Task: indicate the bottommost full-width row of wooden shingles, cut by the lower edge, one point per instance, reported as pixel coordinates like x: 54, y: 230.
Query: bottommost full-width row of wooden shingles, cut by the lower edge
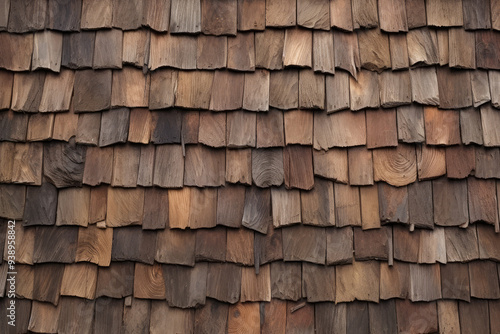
x: 391, y: 316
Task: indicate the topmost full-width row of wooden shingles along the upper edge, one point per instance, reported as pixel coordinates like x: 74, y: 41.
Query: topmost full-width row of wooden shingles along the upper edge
x: 240, y: 15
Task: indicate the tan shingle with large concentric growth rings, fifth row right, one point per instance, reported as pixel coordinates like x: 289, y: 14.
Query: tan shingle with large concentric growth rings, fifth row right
x: 396, y: 166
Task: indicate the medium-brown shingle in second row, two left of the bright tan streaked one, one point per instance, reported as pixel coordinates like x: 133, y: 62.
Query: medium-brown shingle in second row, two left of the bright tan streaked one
x: 241, y: 52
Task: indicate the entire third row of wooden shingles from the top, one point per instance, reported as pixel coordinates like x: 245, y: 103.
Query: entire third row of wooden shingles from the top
x: 257, y: 91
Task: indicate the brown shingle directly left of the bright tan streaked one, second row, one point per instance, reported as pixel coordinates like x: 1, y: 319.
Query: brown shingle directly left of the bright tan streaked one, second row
x: 269, y: 49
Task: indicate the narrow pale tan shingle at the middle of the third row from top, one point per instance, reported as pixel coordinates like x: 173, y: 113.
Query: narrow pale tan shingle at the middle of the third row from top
x: 256, y: 91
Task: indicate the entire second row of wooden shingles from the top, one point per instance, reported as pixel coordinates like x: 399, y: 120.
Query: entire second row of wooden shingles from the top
x: 272, y: 49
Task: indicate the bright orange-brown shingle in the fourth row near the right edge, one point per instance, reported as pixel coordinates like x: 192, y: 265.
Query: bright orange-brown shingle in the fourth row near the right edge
x: 441, y: 126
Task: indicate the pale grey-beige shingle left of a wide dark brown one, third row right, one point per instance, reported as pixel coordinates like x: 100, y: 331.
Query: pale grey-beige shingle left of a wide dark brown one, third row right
x: 424, y: 86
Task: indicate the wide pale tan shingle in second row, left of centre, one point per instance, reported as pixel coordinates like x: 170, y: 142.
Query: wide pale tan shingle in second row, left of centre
x: 178, y: 51
